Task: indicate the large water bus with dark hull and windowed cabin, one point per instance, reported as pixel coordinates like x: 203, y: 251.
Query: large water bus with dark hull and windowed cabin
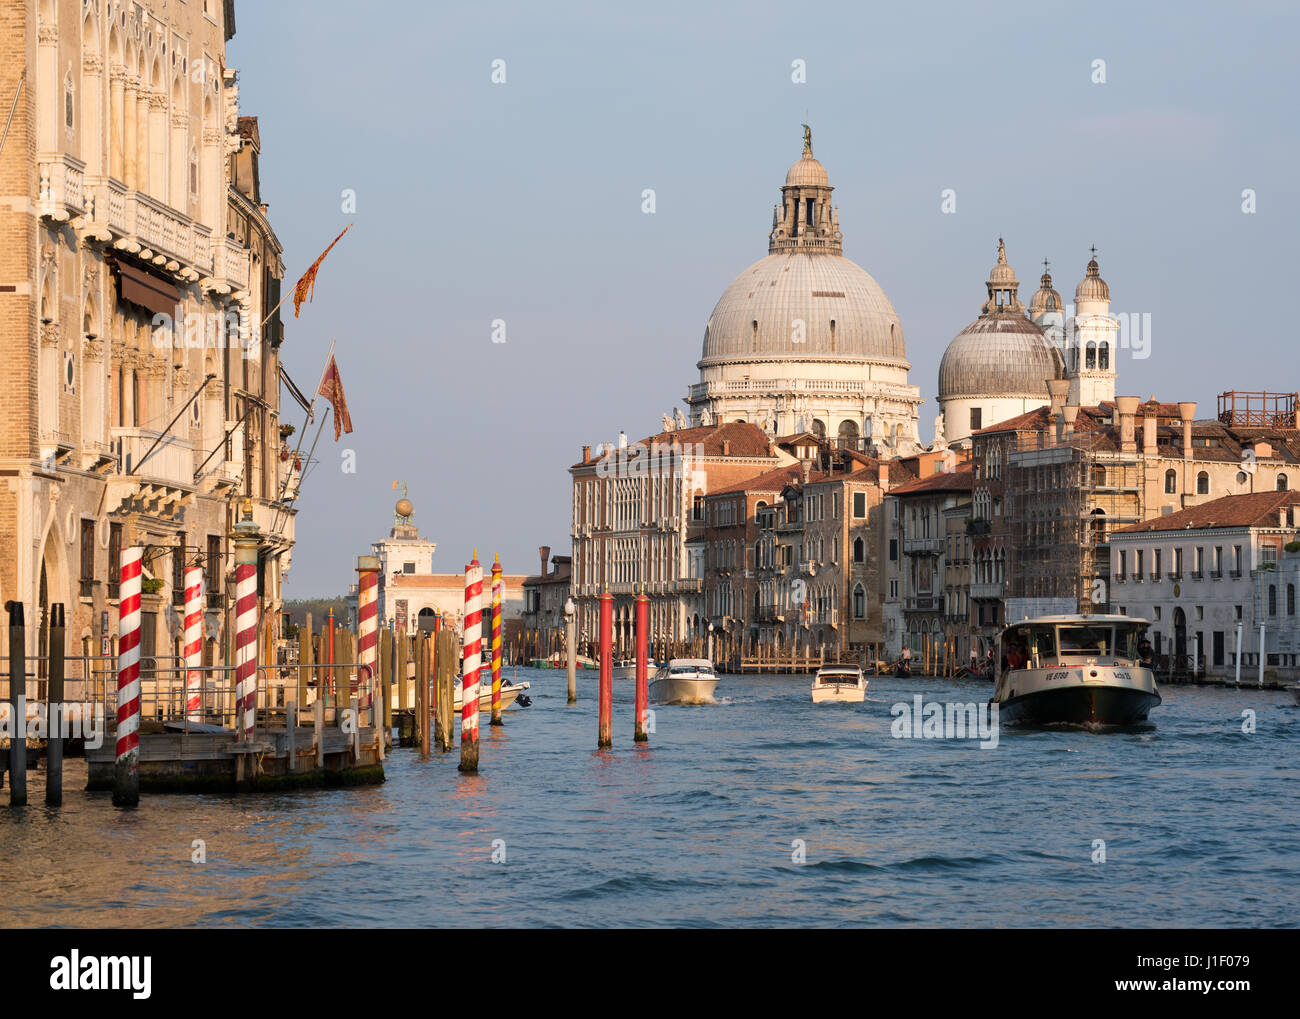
x: 1082, y: 670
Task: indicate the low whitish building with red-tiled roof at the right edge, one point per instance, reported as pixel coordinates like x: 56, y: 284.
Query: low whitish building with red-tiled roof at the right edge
x: 1202, y: 574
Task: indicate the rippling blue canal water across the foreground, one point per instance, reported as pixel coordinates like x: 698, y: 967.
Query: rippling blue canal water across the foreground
x: 1201, y: 825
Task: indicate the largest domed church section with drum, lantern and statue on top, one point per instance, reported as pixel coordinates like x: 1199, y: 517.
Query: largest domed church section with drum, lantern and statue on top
x: 805, y: 340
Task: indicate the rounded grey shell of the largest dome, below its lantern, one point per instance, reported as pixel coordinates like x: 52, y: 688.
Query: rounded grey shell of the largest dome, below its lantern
x: 753, y: 319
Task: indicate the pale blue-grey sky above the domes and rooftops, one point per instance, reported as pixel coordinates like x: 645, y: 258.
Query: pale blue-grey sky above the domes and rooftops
x: 521, y: 202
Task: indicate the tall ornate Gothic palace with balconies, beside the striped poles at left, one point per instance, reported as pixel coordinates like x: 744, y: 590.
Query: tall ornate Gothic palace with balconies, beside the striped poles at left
x: 138, y: 276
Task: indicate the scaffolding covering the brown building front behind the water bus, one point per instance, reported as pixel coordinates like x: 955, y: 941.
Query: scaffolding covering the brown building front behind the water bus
x: 1067, y: 495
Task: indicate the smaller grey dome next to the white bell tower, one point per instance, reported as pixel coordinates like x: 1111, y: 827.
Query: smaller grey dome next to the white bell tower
x: 999, y: 355
